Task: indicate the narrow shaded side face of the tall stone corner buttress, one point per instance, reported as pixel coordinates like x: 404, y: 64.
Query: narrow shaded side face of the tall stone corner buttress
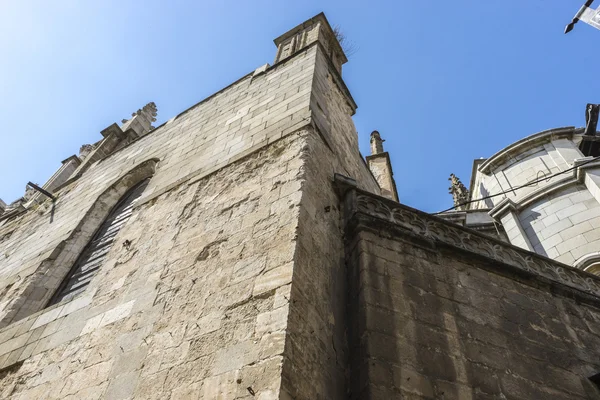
x: 316, y: 347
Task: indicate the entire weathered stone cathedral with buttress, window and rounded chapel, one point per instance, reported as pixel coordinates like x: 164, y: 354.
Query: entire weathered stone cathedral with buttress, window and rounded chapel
x: 245, y: 249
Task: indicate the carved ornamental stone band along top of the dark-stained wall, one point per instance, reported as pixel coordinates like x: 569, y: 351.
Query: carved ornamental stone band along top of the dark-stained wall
x: 438, y: 230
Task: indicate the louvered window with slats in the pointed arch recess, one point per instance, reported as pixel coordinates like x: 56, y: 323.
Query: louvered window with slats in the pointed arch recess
x: 92, y: 257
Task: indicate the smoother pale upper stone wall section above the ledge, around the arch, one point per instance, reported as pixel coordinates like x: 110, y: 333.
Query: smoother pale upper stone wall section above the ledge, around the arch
x: 253, y: 112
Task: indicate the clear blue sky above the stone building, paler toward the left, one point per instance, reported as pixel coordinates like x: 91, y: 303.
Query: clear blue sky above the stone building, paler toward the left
x: 444, y: 82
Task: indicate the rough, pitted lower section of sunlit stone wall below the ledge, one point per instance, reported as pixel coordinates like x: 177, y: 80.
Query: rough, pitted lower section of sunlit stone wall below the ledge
x: 196, y: 306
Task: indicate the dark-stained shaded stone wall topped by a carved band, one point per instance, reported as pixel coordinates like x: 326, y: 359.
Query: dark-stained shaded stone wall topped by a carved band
x: 435, y: 313
